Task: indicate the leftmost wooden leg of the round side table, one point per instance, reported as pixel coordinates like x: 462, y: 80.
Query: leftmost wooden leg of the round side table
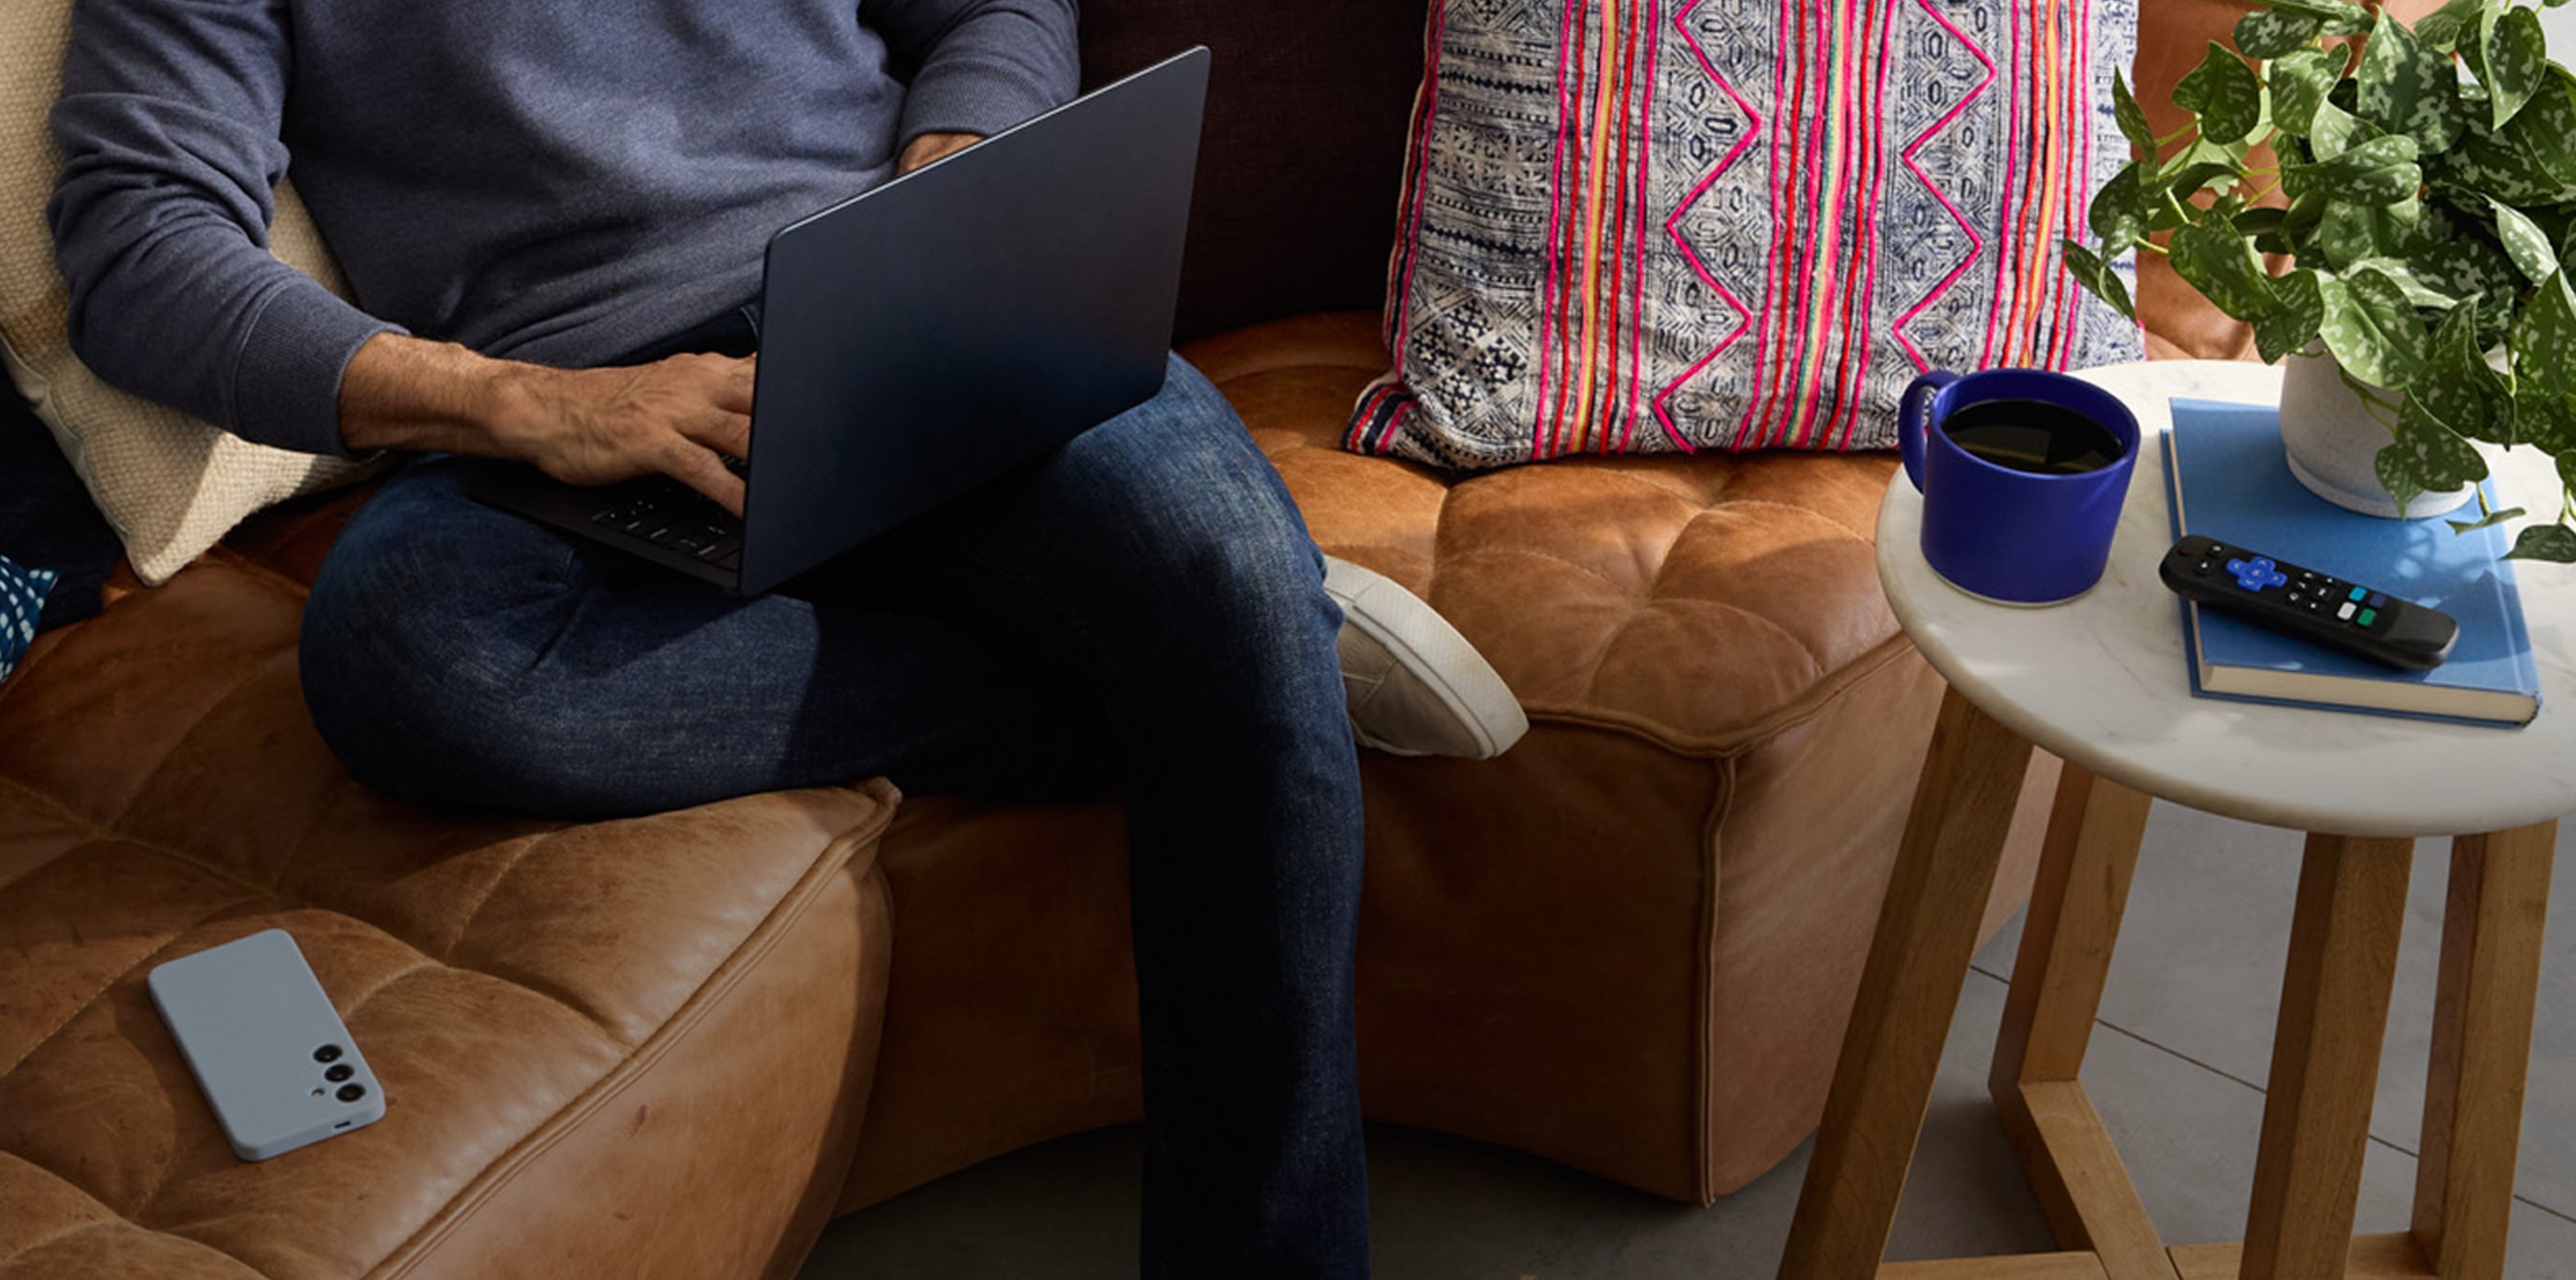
x: 1908, y: 995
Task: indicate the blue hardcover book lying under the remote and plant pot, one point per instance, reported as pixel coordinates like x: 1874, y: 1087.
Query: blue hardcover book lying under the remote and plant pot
x: 2232, y: 483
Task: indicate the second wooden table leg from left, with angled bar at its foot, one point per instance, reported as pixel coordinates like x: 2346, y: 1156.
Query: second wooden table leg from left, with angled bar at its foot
x: 2057, y: 990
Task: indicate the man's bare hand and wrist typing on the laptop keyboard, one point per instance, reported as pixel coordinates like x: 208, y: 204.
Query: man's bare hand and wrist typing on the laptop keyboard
x: 583, y: 426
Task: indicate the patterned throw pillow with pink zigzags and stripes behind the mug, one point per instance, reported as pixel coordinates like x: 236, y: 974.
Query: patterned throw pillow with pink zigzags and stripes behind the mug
x: 1673, y: 225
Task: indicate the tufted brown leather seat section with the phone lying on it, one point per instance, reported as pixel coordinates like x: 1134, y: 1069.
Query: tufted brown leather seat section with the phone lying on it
x: 614, y: 1049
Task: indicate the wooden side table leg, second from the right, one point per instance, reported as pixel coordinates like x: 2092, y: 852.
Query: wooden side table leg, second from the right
x: 2327, y: 1057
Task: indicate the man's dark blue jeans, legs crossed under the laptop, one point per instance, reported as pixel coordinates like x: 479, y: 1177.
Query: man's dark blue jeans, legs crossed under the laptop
x: 1137, y: 614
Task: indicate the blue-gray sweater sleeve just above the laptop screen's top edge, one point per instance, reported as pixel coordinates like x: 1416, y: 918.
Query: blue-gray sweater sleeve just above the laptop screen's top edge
x: 980, y: 66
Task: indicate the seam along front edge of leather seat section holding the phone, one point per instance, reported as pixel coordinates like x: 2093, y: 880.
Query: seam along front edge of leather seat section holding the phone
x: 506, y: 1168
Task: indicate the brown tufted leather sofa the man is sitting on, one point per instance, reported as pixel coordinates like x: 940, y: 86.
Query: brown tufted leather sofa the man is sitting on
x: 676, y: 1047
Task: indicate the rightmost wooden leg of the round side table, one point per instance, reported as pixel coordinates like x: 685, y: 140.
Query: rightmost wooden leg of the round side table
x: 2482, y: 1042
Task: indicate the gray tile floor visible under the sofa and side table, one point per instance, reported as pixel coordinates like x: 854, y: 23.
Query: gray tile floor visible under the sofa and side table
x: 2175, y: 1070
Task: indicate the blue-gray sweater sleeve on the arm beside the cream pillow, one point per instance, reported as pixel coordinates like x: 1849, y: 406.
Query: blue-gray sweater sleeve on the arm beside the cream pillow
x: 169, y: 125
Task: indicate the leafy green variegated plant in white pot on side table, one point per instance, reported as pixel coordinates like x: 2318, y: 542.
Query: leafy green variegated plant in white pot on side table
x: 2430, y: 220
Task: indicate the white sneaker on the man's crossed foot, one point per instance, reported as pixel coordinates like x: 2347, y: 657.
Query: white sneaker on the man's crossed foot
x: 1416, y: 686
